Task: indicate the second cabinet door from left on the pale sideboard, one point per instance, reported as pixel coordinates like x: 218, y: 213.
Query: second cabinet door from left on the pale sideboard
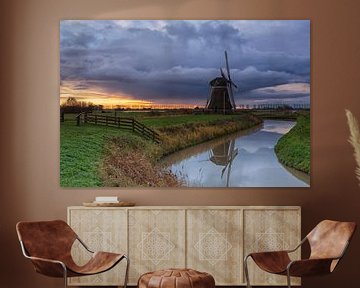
x: 157, y: 240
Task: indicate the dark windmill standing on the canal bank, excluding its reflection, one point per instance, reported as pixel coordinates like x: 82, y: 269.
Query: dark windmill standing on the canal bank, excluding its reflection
x: 221, y: 94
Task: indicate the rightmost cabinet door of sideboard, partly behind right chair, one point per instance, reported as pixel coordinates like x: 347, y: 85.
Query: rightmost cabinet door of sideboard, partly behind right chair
x: 270, y: 230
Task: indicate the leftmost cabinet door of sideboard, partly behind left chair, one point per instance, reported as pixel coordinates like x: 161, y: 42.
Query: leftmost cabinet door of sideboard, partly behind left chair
x: 100, y: 230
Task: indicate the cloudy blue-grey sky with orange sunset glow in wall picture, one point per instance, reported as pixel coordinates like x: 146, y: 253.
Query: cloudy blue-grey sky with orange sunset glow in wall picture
x: 129, y: 62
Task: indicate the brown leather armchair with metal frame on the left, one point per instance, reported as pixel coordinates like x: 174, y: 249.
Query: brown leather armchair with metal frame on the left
x: 48, y: 245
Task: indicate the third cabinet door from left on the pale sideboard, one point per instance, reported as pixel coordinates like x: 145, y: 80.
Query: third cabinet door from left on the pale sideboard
x: 214, y: 244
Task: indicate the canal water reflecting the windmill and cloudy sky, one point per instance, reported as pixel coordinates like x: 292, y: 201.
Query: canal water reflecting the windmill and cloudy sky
x: 244, y: 159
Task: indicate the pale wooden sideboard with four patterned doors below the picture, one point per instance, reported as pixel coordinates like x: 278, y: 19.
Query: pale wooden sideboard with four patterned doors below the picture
x: 212, y: 239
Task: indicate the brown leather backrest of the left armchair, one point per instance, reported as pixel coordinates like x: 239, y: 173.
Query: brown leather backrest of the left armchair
x: 46, y: 239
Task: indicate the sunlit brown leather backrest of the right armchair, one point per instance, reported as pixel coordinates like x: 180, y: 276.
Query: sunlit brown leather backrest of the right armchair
x: 329, y: 239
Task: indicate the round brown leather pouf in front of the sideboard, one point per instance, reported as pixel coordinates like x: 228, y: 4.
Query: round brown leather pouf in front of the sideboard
x: 176, y: 278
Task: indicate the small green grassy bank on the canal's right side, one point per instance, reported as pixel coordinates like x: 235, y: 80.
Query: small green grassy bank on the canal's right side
x: 293, y: 149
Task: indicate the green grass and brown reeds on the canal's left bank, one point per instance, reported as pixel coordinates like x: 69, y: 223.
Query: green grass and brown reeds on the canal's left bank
x: 94, y: 156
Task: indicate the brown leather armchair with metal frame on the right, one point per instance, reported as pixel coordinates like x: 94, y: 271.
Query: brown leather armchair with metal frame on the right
x: 328, y: 242
